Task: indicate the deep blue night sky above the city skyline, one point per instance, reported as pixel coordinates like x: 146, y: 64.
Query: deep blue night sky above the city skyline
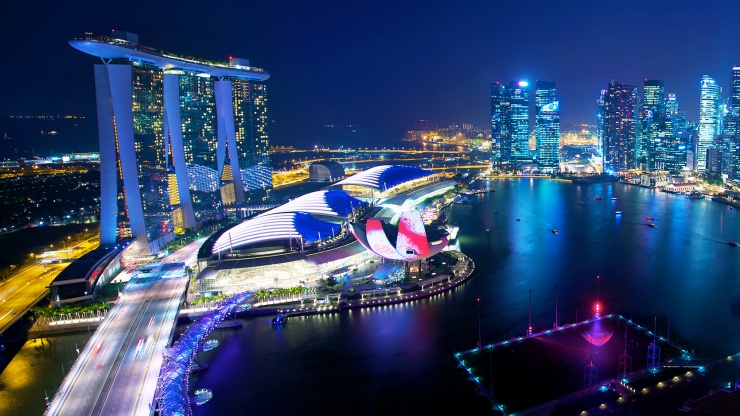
x: 382, y: 65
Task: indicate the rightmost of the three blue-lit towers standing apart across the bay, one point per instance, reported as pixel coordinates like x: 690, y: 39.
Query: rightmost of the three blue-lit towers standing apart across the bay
x: 547, y: 127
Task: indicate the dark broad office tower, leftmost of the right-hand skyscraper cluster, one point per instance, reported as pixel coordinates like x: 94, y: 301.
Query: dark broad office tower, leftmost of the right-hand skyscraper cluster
x: 619, y: 127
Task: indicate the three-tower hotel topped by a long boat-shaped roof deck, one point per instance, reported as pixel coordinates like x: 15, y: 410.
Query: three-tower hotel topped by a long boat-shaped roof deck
x: 180, y: 138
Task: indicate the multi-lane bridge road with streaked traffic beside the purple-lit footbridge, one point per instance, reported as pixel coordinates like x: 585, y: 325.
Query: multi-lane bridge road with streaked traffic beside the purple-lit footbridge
x: 116, y: 373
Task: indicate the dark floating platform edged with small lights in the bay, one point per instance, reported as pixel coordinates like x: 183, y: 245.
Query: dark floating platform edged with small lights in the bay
x: 546, y: 371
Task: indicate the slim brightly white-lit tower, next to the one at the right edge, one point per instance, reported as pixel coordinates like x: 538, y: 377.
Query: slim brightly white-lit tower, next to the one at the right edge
x: 709, y: 123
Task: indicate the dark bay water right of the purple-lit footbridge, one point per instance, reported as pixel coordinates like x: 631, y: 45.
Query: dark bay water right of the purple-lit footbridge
x: 398, y: 359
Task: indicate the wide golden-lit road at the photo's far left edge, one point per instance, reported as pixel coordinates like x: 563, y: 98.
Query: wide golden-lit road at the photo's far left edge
x: 29, y: 285
